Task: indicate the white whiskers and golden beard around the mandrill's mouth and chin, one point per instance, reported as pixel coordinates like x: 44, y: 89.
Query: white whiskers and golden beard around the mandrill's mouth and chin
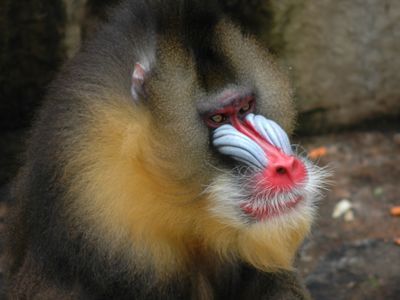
x: 269, y: 244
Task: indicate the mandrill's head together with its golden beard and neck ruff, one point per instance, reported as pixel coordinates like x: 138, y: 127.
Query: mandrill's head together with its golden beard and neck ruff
x: 199, y: 155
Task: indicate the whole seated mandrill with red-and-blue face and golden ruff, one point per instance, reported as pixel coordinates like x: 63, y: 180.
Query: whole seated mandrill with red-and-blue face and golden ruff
x: 159, y: 168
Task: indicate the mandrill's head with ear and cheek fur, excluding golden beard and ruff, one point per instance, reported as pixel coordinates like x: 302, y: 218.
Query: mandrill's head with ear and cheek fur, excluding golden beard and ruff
x: 223, y: 120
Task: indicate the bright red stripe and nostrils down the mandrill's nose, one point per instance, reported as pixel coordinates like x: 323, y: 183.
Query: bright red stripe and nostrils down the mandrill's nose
x: 283, y: 171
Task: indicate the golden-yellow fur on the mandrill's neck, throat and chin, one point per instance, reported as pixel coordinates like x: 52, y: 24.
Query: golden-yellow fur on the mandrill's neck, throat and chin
x: 124, y: 195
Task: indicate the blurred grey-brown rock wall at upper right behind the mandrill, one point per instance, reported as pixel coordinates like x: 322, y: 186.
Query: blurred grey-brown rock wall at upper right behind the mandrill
x: 343, y: 55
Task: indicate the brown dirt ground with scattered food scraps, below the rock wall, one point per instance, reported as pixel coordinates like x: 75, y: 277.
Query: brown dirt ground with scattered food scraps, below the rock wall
x: 348, y: 257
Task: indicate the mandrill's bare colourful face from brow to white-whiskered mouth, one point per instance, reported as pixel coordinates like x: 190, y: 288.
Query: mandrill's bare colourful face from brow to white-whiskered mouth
x: 268, y: 180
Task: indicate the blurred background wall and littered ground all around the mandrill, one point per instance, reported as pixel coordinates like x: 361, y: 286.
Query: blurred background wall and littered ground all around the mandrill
x: 343, y: 59
